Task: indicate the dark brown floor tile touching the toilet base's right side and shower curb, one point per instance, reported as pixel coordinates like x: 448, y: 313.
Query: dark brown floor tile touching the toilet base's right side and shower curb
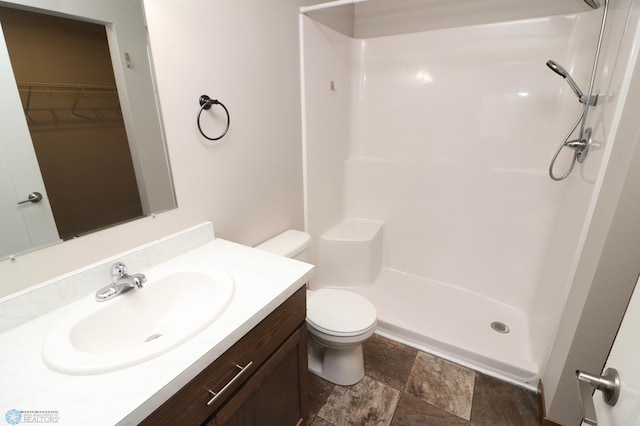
x: 387, y: 361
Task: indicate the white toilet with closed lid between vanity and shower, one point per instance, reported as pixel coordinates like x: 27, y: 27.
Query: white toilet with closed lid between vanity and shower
x: 338, y: 321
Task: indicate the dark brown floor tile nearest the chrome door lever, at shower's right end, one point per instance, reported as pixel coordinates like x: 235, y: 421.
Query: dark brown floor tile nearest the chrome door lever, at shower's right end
x: 498, y: 403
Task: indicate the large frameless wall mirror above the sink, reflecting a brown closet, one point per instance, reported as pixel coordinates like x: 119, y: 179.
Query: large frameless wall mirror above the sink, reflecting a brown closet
x: 82, y: 144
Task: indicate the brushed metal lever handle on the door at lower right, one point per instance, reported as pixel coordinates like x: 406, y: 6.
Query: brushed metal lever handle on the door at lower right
x: 608, y: 384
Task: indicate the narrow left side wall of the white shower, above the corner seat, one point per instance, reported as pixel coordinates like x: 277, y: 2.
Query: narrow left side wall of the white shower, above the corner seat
x: 327, y: 58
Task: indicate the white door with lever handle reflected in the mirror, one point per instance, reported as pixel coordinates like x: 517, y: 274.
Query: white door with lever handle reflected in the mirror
x: 27, y: 225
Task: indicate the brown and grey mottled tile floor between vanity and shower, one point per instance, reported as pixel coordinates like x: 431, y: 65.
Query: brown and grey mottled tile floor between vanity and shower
x: 404, y: 386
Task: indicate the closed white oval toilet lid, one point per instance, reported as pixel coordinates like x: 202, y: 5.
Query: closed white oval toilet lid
x: 340, y: 312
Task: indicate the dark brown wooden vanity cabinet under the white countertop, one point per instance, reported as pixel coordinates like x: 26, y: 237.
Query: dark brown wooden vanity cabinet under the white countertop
x: 260, y: 380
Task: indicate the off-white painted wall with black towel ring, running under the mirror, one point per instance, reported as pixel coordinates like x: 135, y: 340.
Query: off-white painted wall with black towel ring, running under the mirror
x: 250, y: 185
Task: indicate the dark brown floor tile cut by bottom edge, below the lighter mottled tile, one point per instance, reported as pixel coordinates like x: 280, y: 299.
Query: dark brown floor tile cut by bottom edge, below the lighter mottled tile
x: 413, y: 411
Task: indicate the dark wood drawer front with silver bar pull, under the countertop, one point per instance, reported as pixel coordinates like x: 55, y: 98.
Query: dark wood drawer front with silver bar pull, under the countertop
x: 189, y: 405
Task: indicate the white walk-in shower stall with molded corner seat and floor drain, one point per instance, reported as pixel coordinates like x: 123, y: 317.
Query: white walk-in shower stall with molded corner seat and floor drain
x: 428, y: 131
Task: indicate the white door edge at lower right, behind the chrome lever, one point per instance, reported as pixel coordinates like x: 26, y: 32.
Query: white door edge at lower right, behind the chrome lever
x: 625, y: 358
